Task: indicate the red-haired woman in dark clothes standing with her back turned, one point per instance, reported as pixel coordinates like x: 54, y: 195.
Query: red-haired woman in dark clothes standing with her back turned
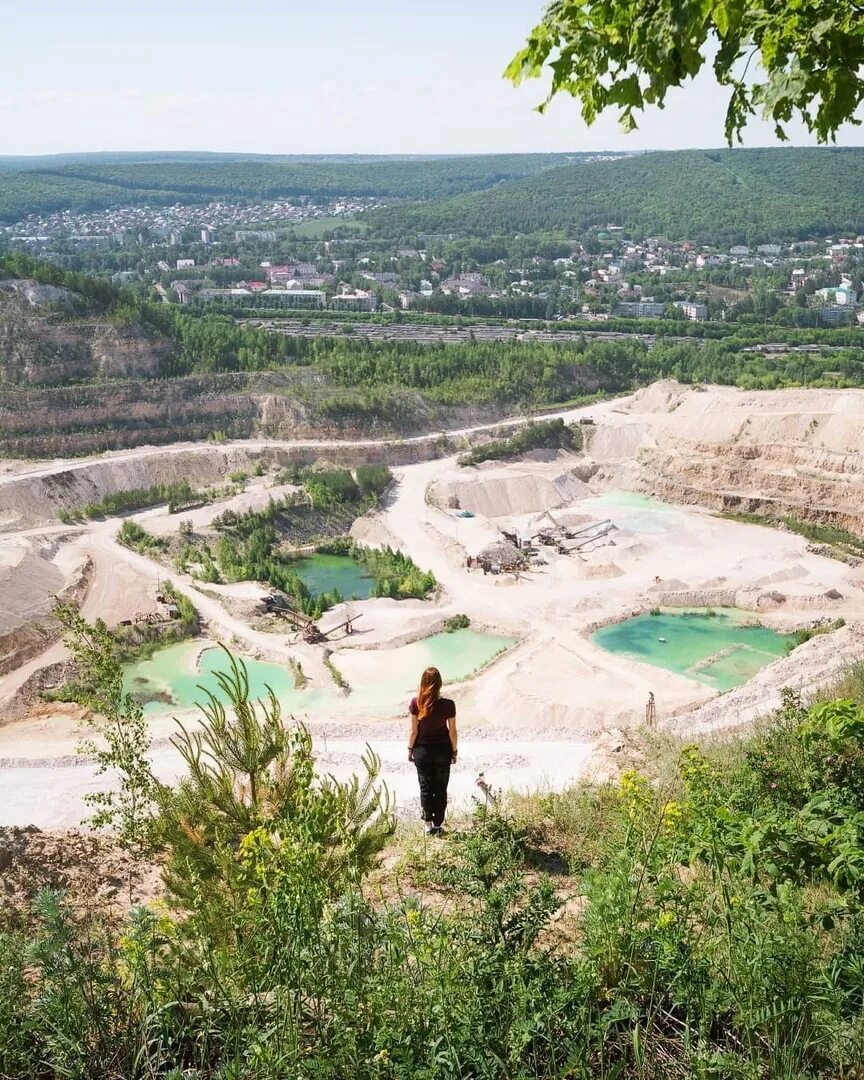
x: 433, y: 746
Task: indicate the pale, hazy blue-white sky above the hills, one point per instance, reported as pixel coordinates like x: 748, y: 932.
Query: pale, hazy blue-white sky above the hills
x: 312, y: 77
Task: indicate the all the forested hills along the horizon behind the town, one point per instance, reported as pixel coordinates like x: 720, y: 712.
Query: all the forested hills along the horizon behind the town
x: 719, y: 197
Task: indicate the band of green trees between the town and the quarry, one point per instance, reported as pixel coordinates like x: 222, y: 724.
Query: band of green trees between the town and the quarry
x: 359, y: 377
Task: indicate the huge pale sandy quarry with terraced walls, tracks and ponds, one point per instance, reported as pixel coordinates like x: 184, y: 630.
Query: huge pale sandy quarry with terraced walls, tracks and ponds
x: 574, y: 588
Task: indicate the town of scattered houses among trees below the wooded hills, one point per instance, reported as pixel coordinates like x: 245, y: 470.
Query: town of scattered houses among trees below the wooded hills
x: 262, y: 259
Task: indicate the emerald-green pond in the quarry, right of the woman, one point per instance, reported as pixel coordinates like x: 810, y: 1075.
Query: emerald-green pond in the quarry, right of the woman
x: 720, y: 651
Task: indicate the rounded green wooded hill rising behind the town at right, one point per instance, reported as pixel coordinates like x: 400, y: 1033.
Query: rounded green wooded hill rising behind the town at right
x: 709, y: 197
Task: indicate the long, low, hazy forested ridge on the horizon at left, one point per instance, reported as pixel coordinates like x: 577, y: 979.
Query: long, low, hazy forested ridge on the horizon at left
x: 98, y: 182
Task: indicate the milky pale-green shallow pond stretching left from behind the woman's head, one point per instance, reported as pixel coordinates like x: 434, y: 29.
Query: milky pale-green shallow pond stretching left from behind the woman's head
x: 173, y: 679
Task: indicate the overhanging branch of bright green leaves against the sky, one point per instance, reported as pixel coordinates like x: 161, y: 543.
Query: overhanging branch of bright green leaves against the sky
x: 779, y: 58
